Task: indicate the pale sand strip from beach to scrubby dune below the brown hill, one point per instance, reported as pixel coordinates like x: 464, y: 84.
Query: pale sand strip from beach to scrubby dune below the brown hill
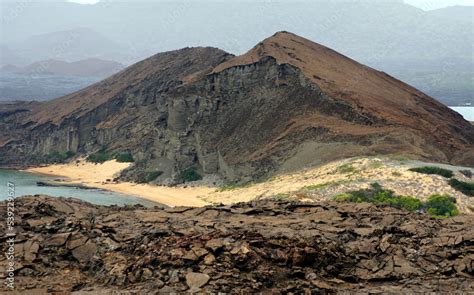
x: 312, y: 184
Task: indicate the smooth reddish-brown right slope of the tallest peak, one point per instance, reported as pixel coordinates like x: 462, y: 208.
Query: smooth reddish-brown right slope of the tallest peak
x: 347, y: 80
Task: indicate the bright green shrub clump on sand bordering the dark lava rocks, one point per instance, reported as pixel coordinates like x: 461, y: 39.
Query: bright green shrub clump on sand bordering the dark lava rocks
x: 437, y: 206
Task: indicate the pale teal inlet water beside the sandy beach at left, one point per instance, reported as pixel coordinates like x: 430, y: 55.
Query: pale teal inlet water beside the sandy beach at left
x: 25, y: 184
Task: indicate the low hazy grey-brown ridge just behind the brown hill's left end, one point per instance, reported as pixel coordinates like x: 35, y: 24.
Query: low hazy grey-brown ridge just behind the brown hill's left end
x: 91, y: 67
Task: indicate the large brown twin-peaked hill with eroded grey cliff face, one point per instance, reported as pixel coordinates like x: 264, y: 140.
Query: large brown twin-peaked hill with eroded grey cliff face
x: 285, y: 104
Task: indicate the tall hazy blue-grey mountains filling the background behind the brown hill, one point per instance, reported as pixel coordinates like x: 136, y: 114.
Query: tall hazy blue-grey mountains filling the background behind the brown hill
x: 430, y: 49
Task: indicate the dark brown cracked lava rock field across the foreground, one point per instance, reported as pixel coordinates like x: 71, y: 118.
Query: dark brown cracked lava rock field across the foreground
x: 66, y: 245
